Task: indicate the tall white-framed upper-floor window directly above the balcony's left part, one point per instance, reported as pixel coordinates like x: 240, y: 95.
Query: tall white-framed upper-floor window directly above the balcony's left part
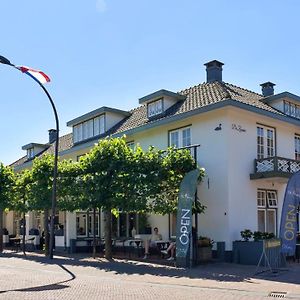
x: 265, y: 142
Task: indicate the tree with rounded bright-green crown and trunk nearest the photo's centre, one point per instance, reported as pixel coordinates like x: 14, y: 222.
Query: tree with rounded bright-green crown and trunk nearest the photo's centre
x: 105, y: 174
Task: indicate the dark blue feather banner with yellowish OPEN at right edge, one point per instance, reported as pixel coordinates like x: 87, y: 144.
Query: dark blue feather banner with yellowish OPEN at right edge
x: 288, y: 225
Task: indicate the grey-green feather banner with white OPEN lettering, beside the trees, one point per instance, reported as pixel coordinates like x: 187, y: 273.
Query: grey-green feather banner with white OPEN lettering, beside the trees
x: 186, y: 197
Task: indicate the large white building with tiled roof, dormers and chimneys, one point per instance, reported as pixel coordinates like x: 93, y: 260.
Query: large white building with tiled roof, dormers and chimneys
x: 250, y: 146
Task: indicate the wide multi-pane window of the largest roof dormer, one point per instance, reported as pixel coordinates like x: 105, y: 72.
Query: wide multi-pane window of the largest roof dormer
x: 89, y: 128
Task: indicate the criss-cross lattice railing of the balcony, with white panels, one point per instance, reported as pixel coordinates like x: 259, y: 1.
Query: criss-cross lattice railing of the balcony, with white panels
x: 276, y: 164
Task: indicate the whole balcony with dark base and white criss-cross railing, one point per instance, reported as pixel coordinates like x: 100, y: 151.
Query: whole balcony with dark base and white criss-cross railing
x: 274, y: 167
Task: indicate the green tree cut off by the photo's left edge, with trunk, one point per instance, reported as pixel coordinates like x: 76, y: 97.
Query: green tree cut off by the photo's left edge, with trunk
x: 7, y: 186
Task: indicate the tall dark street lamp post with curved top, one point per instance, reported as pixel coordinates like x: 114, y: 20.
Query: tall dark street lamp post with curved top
x: 5, y: 61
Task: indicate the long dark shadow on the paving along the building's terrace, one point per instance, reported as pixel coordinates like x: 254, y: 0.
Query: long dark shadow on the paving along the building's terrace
x: 223, y: 272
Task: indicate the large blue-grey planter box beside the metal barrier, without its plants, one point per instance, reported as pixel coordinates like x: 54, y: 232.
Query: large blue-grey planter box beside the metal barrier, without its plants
x: 247, y: 253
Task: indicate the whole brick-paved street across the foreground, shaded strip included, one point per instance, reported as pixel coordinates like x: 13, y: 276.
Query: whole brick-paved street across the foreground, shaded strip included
x: 36, y: 277
